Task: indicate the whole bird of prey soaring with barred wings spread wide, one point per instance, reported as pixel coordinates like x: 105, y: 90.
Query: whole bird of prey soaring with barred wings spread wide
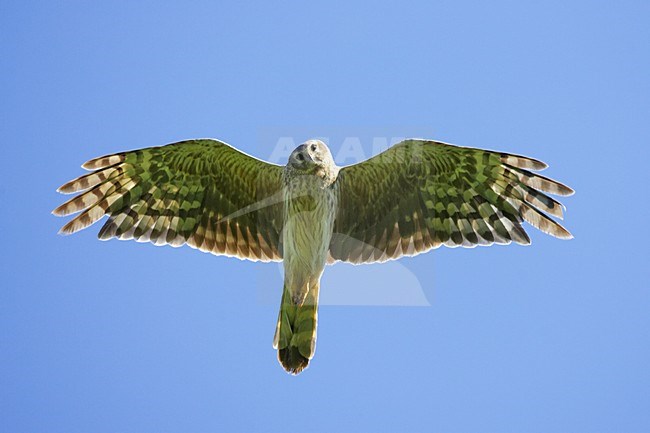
x: 411, y: 198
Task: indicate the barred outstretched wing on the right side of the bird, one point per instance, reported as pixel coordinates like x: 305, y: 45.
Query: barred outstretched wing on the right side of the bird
x: 421, y: 194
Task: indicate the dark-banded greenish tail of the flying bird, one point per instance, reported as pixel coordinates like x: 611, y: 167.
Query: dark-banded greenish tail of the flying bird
x: 295, y: 334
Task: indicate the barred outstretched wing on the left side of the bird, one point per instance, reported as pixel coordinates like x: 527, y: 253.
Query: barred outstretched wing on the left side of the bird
x: 203, y: 193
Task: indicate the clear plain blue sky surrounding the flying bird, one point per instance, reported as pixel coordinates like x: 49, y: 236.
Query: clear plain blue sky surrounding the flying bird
x: 125, y: 337
